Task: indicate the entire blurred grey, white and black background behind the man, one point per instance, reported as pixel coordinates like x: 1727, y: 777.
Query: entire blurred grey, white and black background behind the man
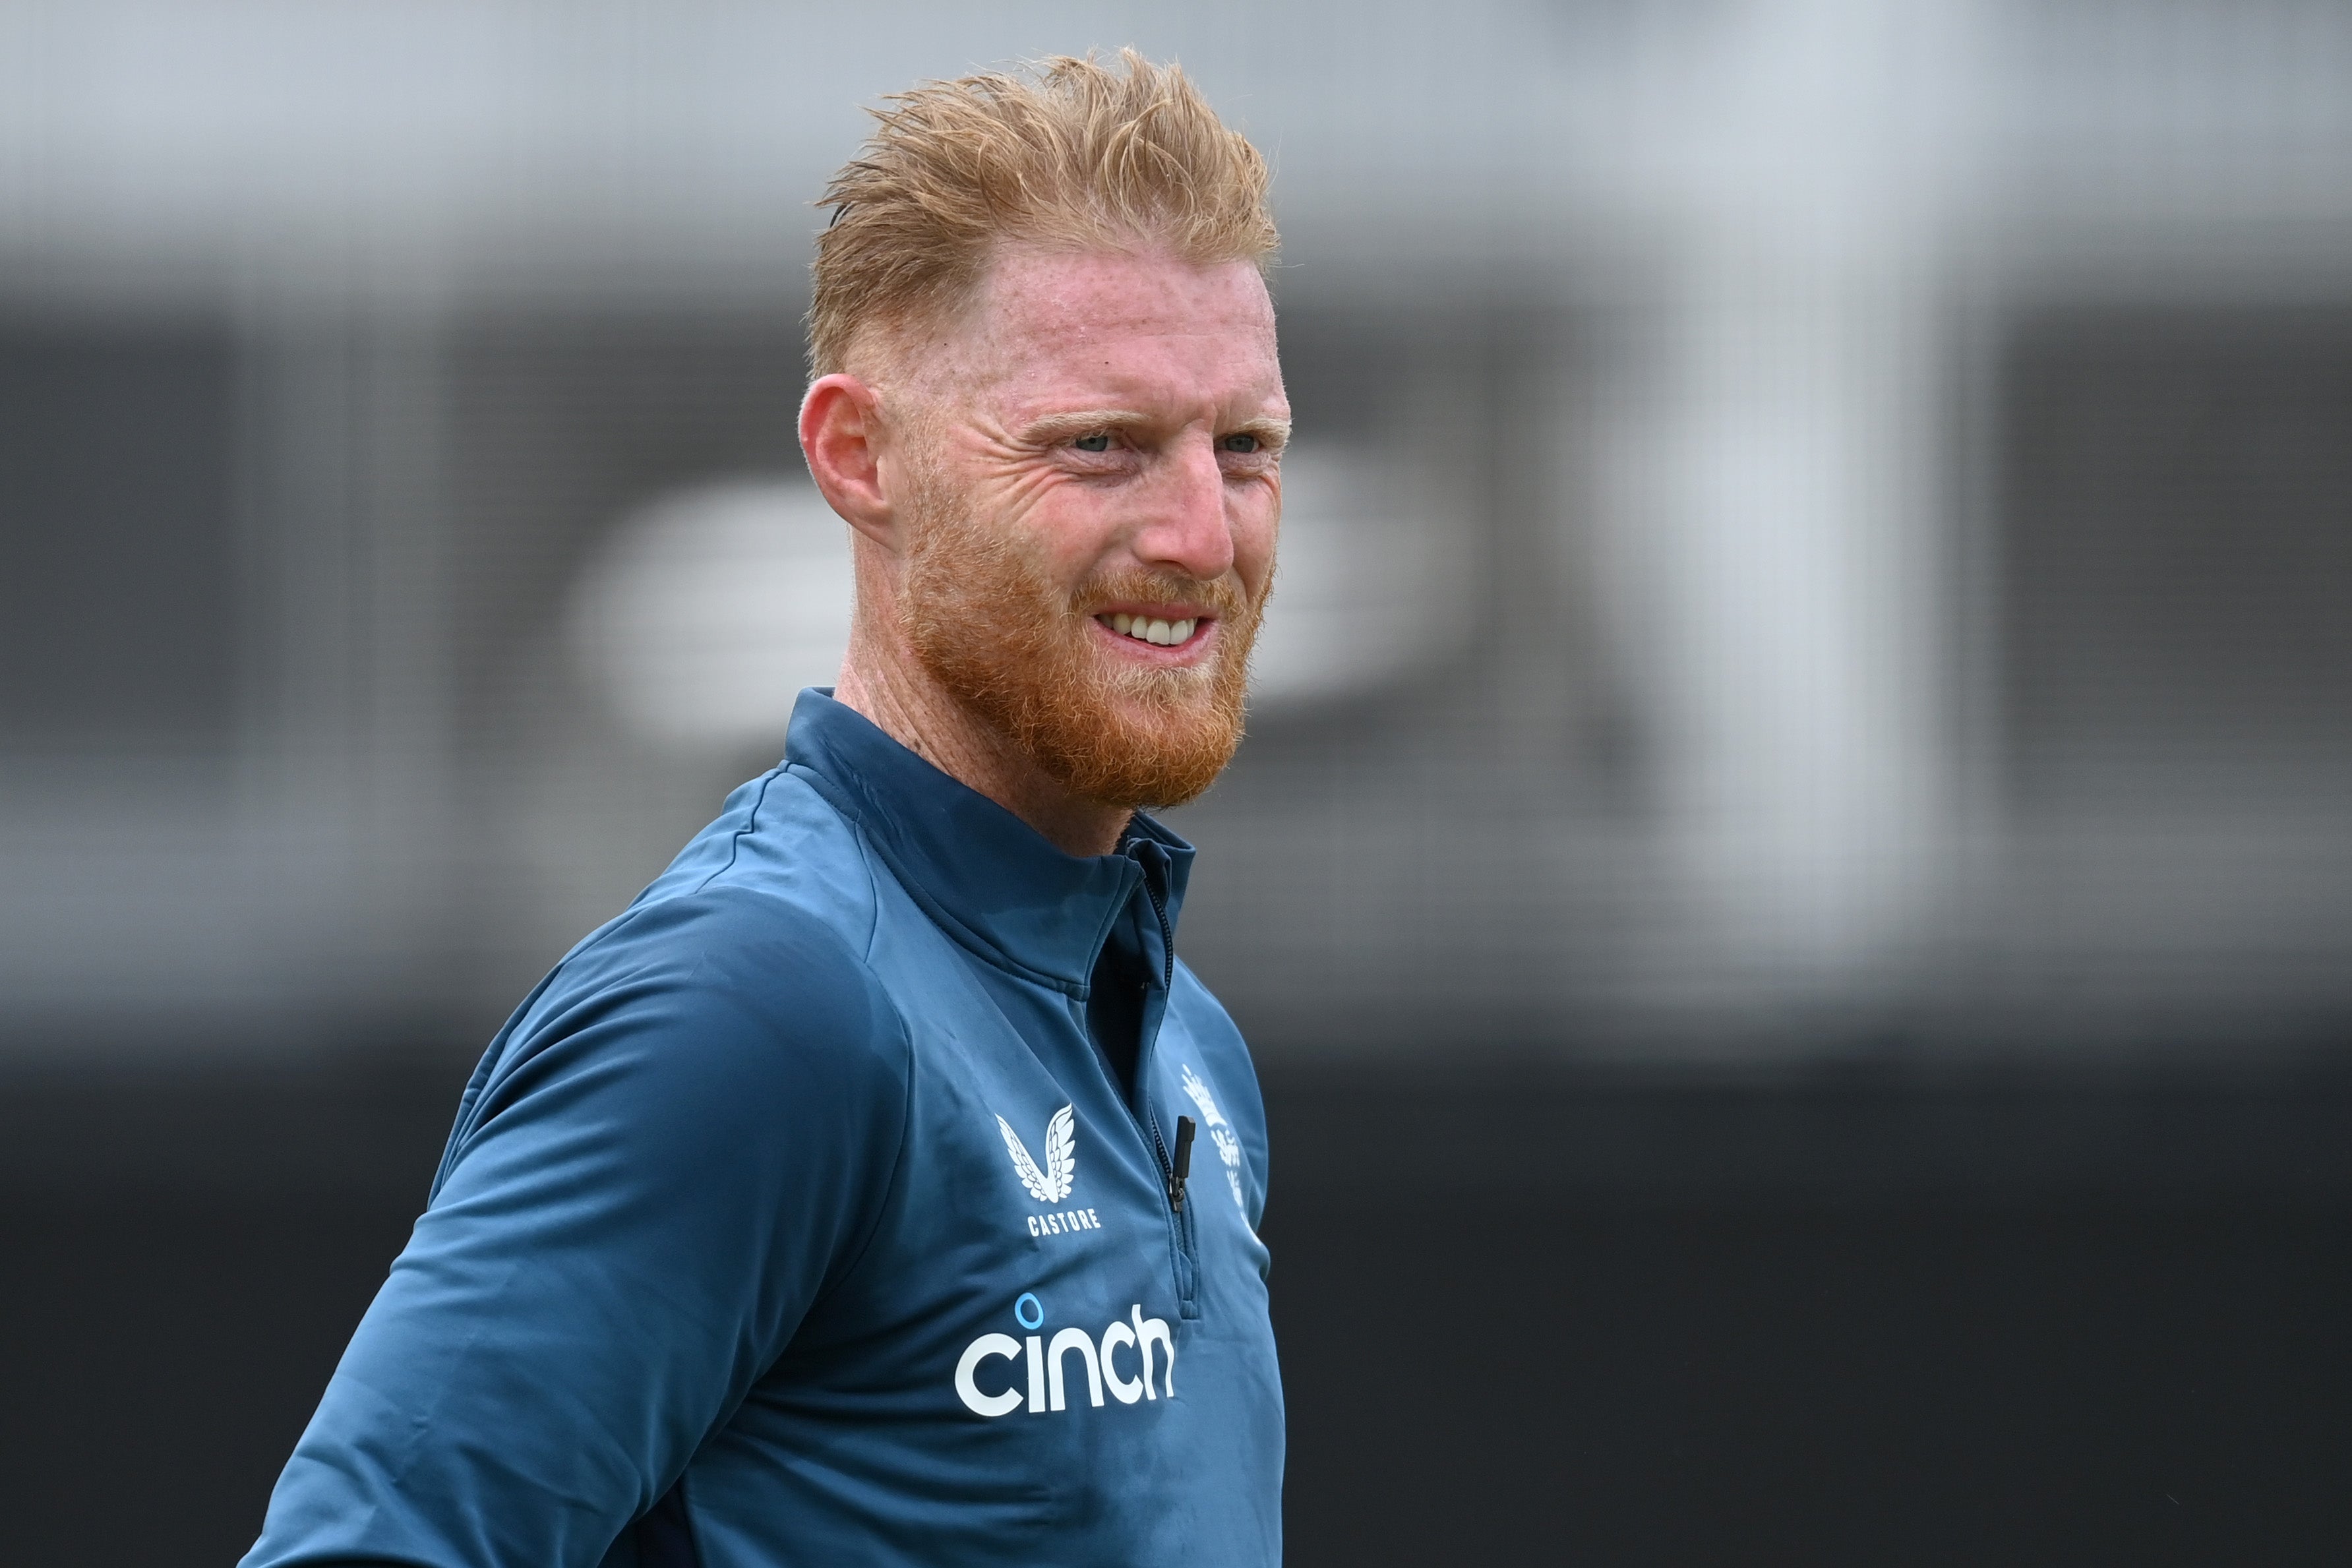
x: 1791, y: 869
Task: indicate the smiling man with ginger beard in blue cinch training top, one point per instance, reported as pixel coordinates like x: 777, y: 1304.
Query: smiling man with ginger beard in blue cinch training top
x: 831, y: 1205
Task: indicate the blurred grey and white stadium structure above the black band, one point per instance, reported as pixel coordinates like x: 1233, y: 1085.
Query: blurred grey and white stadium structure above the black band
x: 1817, y: 523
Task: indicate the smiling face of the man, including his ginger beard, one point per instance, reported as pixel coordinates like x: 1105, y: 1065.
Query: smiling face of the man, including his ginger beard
x: 1095, y: 514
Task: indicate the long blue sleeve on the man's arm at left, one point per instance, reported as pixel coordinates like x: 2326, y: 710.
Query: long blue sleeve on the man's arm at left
x: 667, y: 1158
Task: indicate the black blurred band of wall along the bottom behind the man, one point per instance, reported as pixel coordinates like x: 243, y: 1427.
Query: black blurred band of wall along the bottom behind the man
x: 1528, y: 1318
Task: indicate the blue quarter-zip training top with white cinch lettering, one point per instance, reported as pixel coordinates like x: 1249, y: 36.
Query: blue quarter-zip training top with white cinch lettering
x: 796, y: 1219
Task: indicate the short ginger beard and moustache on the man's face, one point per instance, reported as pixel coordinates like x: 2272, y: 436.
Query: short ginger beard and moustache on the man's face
x: 1024, y: 657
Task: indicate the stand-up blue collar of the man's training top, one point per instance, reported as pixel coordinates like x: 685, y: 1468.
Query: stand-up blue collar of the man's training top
x: 980, y: 871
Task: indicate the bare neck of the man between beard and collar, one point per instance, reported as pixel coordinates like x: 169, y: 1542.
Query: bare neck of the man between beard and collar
x: 914, y: 711
